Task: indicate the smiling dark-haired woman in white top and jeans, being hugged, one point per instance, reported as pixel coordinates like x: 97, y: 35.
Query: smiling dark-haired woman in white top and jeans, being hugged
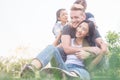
x: 75, y: 63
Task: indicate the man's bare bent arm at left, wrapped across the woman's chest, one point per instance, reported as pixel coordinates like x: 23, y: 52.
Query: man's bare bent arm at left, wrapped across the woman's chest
x: 66, y: 44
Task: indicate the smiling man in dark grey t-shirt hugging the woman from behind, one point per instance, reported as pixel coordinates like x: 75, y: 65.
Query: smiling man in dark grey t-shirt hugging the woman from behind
x: 77, y: 16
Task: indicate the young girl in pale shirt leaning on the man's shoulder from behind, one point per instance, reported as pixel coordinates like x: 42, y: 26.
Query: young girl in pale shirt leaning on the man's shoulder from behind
x: 61, y: 21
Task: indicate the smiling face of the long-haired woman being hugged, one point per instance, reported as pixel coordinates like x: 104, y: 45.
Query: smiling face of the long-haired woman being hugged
x: 82, y: 30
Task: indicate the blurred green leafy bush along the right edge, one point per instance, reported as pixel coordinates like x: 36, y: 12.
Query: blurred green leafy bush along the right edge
x: 113, y: 39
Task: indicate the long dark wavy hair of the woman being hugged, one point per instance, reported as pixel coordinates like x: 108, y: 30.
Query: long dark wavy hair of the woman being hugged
x: 91, y: 33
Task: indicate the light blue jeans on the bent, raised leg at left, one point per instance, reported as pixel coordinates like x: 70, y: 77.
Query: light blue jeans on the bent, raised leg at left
x: 48, y: 53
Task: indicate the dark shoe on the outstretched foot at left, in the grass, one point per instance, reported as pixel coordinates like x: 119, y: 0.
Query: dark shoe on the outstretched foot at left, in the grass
x: 27, y: 71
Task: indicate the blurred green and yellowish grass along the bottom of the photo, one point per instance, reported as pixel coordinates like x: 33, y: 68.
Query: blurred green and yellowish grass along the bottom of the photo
x: 11, y: 70
